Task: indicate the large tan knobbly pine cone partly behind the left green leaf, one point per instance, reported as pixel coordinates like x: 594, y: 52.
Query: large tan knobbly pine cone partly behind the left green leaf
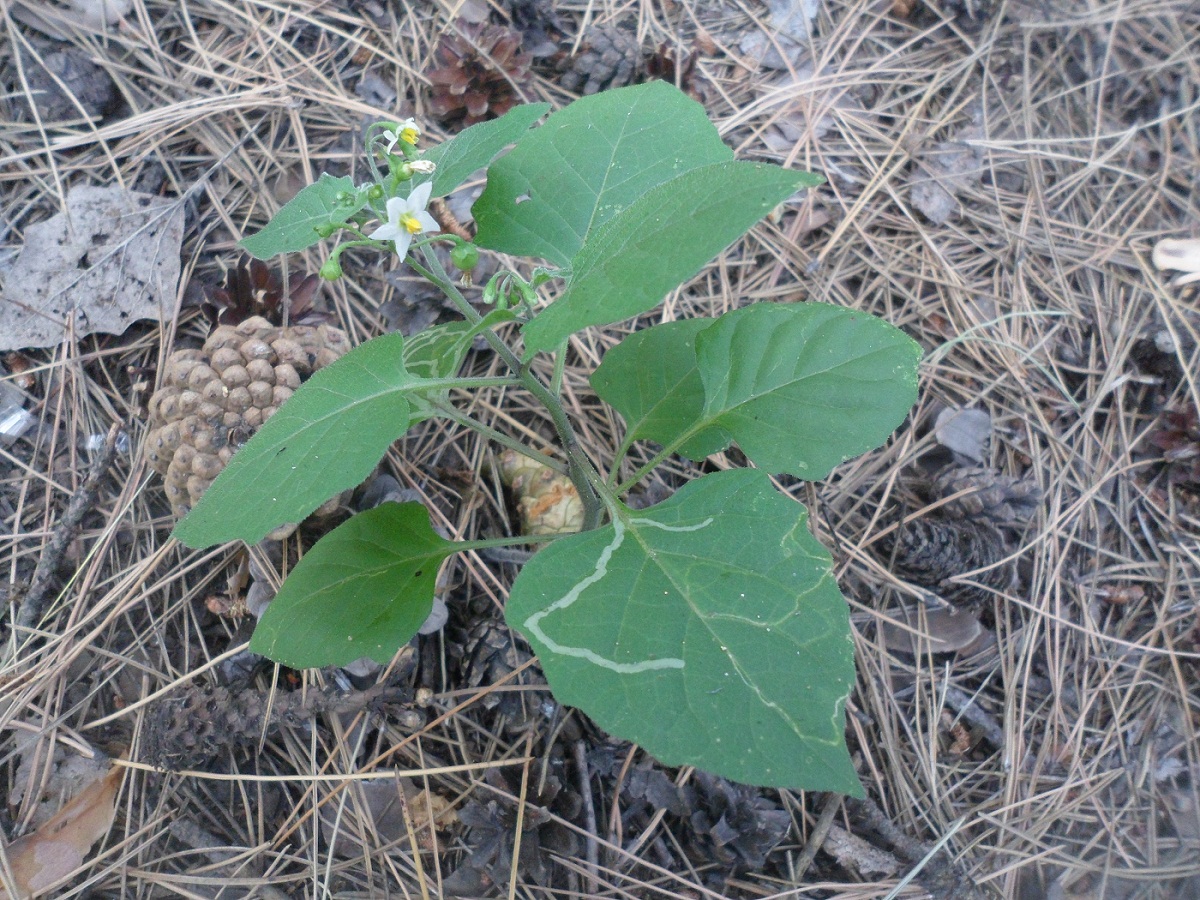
x: 213, y: 400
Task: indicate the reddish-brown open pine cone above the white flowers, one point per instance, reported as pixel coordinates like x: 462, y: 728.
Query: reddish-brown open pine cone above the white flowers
x: 477, y: 75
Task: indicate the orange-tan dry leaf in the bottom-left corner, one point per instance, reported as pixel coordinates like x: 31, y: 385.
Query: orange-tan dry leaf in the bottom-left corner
x: 59, y: 848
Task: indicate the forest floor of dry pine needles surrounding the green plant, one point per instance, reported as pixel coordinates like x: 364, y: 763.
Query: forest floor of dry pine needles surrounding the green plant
x: 998, y: 177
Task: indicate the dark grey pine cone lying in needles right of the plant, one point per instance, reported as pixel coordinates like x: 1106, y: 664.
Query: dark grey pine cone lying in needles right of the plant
x: 929, y: 553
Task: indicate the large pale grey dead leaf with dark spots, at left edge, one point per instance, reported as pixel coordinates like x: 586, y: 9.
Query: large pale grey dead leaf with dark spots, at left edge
x: 110, y: 260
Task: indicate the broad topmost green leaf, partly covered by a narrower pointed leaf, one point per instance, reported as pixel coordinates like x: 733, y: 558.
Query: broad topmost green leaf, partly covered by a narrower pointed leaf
x: 587, y: 164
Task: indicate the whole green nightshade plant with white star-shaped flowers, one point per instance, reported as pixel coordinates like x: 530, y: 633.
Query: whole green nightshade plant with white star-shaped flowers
x: 707, y: 628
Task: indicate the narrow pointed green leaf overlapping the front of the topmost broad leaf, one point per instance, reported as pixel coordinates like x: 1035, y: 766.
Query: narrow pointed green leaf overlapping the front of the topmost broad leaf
x: 658, y: 242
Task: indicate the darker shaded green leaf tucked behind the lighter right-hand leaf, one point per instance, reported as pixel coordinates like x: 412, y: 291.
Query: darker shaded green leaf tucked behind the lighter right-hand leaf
x: 652, y: 380
